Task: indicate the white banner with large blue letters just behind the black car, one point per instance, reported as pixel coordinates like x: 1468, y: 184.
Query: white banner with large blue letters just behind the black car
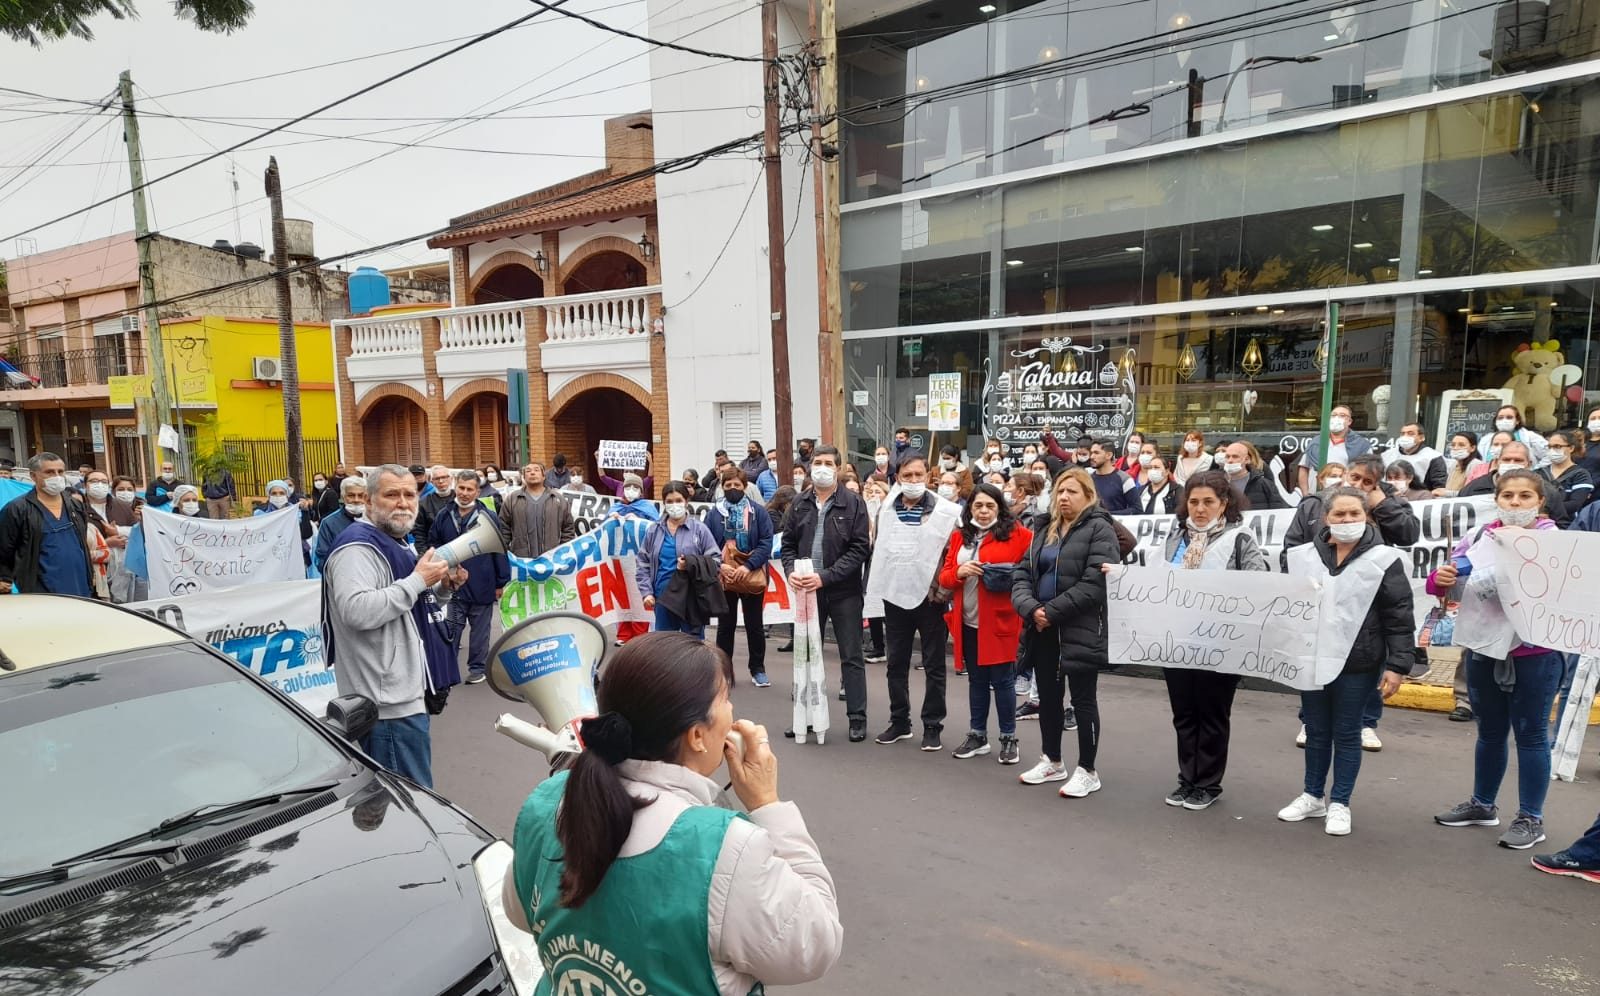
x: 273, y: 630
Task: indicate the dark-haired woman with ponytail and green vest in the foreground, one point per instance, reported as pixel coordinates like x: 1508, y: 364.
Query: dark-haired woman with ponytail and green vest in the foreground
x: 630, y: 856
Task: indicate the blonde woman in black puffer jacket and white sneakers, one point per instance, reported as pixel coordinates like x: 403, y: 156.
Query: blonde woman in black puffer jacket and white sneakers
x: 1060, y: 592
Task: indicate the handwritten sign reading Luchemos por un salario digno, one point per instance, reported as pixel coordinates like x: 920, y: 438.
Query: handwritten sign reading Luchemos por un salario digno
x: 1228, y: 622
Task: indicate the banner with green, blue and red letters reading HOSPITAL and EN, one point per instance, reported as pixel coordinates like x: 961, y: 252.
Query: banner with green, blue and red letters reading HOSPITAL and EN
x: 594, y: 574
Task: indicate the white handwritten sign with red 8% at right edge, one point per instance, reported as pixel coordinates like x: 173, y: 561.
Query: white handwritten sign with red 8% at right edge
x: 1550, y: 587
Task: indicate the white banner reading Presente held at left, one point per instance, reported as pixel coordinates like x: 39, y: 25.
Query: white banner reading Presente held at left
x: 190, y: 556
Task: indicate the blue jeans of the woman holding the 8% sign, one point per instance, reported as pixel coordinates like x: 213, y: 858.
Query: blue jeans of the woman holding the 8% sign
x: 1524, y: 712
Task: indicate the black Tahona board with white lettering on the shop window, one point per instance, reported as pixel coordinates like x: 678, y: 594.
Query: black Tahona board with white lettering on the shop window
x: 1074, y: 390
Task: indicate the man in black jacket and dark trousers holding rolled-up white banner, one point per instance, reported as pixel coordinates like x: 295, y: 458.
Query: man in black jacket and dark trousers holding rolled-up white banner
x: 828, y: 526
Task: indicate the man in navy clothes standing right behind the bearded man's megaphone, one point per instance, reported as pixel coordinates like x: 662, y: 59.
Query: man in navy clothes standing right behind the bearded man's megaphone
x: 470, y: 524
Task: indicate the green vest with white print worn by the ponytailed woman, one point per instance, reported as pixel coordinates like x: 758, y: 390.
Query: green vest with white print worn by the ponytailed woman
x: 644, y: 930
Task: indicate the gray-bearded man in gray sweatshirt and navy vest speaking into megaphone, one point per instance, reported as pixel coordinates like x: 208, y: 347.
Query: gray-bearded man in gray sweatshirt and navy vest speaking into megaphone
x: 383, y: 627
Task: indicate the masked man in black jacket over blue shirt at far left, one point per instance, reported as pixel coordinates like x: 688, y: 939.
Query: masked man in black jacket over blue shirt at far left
x: 44, y: 537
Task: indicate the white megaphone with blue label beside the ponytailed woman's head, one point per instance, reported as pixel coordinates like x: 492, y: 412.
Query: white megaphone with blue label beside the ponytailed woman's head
x: 550, y: 662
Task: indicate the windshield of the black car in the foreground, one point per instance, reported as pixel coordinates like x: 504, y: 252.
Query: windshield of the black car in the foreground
x: 98, y: 750
